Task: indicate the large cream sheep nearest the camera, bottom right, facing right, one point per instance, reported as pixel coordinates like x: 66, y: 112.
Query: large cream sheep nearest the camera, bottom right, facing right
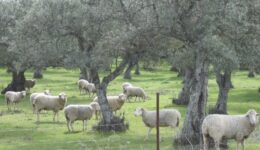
x: 237, y: 127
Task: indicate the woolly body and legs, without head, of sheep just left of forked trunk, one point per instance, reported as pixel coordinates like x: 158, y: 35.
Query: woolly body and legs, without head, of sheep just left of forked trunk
x: 77, y: 112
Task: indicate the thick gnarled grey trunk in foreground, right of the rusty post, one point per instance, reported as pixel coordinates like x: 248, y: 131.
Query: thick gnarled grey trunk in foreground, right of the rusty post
x: 191, y: 131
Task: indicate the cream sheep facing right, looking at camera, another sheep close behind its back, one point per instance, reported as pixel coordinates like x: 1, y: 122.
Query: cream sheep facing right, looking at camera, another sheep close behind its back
x: 48, y: 102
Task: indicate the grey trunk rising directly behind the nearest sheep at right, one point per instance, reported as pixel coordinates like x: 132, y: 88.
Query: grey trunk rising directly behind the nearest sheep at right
x: 224, y: 84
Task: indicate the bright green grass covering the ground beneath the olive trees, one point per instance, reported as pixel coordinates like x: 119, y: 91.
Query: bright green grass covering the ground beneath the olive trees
x: 18, y: 130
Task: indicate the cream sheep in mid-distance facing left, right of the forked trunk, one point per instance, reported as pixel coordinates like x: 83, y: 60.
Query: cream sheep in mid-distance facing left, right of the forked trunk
x: 131, y: 91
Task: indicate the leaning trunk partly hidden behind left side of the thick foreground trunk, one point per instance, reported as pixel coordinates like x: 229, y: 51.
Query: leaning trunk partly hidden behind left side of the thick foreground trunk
x: 184, y: 95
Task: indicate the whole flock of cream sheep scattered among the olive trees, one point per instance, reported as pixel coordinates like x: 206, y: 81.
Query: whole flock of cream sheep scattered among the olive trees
x: 216, y: 126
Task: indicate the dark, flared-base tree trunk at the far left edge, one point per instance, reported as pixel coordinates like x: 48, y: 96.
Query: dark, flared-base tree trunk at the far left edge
x: 17, y: 84
